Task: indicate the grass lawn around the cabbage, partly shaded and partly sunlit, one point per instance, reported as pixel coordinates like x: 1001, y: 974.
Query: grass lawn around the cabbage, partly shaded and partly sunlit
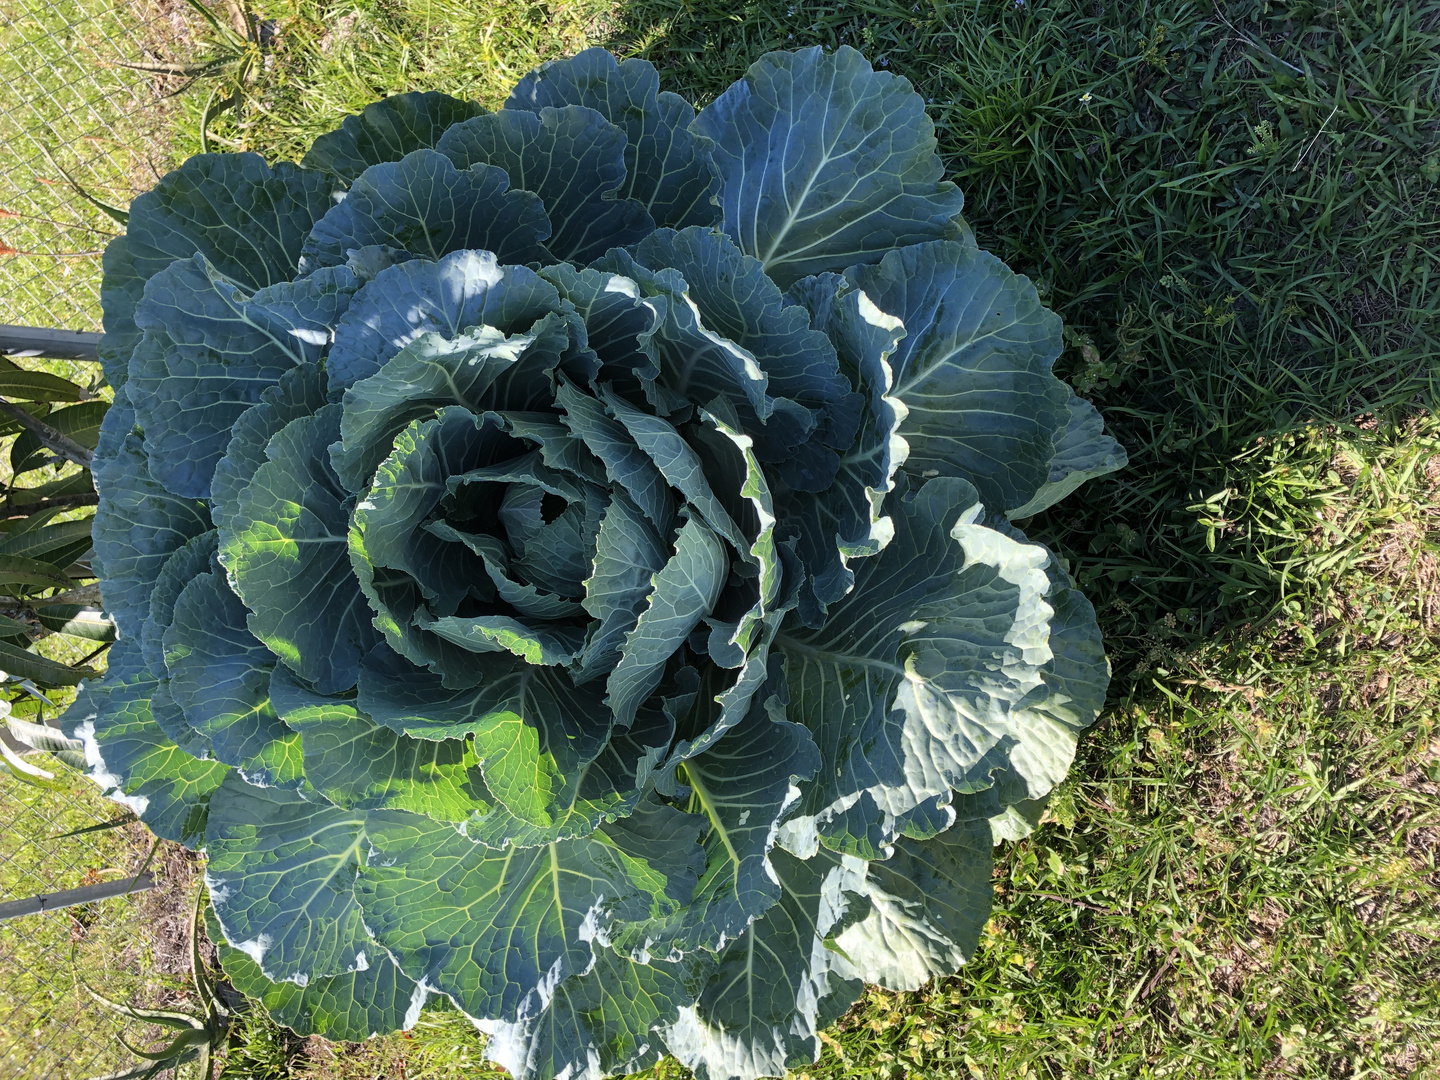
x: 1230, y: 211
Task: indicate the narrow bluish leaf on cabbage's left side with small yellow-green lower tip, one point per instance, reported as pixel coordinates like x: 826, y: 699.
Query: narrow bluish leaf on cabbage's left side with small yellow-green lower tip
x: 220, y: 676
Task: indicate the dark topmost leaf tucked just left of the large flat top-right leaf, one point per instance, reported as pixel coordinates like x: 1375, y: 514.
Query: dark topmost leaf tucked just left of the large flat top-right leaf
x: 669, y: 168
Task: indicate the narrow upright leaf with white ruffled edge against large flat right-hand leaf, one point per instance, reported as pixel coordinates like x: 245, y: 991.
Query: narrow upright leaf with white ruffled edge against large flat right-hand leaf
x: 846, y: 521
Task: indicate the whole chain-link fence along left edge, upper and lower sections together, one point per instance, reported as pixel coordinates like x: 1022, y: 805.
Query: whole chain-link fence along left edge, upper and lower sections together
x: 74, y: 114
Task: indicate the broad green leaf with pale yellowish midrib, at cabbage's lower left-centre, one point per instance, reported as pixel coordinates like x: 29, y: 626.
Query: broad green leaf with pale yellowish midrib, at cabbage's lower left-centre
x: 492, y: 930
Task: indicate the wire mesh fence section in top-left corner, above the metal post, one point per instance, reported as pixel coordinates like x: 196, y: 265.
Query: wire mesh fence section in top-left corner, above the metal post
x: 66, y: 91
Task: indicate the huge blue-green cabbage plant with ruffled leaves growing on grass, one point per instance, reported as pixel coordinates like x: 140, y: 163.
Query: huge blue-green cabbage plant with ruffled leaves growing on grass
x: 564, y: 565
